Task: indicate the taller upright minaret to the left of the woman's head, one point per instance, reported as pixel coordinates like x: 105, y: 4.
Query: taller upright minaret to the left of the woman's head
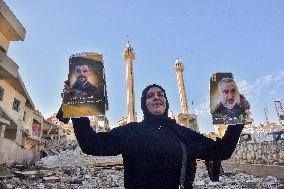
x: 129, y: 57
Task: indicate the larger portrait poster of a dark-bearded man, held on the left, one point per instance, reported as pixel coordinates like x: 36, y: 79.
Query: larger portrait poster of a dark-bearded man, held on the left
x: 87, y: 95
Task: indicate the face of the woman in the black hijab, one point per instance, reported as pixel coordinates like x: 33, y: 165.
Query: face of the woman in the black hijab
x: 156, y: 101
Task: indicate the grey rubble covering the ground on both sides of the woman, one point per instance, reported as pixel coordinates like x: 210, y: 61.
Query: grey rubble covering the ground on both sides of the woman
x: 68, y: 167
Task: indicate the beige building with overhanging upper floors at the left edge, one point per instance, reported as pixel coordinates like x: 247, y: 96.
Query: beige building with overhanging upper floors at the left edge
x: 20, y: 123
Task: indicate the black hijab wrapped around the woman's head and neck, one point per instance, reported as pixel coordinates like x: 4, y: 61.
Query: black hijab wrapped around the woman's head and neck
x: 150, y: 118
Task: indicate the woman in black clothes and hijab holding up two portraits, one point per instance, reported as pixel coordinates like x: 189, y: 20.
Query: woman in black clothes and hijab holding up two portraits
x: 151, y: 150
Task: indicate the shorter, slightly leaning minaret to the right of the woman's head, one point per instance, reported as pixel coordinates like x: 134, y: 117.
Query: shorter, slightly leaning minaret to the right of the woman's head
x: 179, y: 70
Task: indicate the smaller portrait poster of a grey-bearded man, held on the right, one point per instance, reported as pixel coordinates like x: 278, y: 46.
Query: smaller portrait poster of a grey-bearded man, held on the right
x: 225, y: 100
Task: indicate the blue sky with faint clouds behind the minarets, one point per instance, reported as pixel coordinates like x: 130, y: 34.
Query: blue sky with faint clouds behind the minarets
x: 243, y: 37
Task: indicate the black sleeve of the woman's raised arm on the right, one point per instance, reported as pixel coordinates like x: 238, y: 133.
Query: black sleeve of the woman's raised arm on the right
x: 208, y: 149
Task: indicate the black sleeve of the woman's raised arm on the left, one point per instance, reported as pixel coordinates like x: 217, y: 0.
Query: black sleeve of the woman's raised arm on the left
x: 100, y: 144
